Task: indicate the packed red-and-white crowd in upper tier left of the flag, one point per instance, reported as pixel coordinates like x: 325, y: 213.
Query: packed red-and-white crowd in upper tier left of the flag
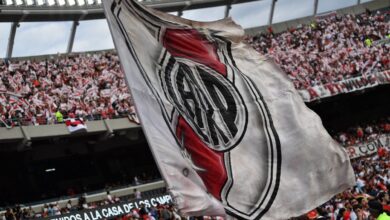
x: 89, y: 86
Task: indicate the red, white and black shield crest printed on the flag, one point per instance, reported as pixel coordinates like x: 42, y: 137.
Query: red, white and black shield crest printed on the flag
x: 214, y: 111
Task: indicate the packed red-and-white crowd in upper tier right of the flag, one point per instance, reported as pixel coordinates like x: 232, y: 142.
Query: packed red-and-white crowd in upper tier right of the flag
x: 330, y: 49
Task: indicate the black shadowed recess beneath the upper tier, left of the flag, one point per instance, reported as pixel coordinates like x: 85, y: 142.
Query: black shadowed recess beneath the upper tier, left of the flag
x: 77, y: 165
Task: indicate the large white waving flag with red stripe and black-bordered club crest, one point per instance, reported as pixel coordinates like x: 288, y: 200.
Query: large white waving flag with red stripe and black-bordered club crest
x: 229, y: 132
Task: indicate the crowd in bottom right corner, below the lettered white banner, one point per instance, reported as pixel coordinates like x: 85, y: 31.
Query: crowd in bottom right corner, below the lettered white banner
x: 367, y: 199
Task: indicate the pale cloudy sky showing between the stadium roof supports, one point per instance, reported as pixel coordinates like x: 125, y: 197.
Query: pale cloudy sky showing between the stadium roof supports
x: 37, y: 38
